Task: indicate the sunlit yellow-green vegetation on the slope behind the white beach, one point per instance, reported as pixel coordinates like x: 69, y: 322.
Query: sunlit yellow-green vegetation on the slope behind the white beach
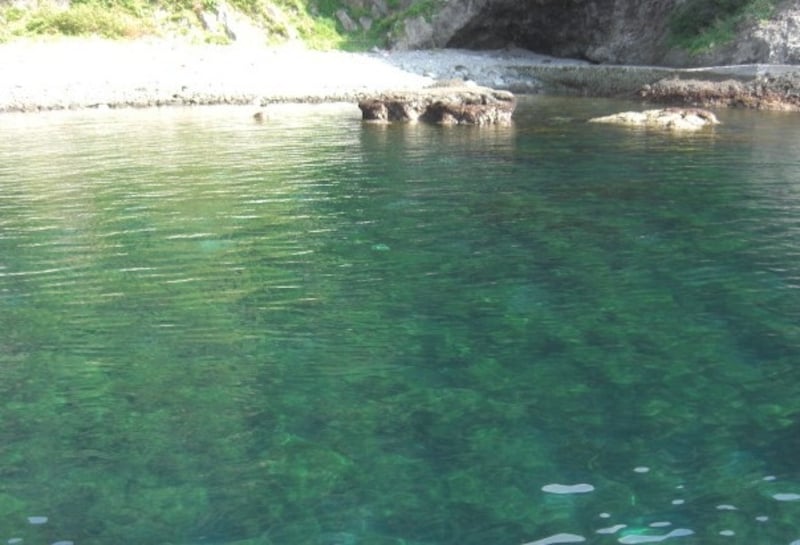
x: 314, y: 23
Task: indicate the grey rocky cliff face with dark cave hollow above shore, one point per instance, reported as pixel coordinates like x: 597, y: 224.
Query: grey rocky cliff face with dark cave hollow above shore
x: 603, y: 31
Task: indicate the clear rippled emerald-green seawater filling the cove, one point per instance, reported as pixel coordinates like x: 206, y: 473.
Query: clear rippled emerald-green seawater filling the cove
x: 316, y: 332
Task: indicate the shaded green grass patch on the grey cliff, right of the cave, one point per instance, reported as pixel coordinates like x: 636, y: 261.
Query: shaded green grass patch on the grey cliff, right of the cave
x: 701, y: 25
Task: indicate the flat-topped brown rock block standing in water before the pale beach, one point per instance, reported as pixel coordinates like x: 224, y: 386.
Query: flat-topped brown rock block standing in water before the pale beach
x: 451, y: 103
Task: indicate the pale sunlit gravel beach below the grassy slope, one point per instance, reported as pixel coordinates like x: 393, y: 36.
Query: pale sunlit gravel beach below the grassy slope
x: 93, y: 73
